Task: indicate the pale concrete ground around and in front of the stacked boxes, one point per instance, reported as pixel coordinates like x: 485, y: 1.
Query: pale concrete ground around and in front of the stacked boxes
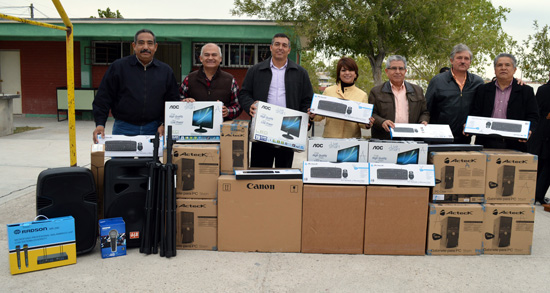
x: 23, y: 156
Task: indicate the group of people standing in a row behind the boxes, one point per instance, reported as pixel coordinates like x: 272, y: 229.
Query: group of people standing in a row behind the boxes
x: 135, y: 87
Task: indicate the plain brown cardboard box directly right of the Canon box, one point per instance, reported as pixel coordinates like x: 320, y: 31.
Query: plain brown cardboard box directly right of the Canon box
x: 333, y: 219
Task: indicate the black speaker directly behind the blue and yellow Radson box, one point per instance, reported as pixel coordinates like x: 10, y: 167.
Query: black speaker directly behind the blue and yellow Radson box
x: 70, y: 191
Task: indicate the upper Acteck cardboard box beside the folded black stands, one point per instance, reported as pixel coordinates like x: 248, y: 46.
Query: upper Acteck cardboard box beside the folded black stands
x: 198, y: 170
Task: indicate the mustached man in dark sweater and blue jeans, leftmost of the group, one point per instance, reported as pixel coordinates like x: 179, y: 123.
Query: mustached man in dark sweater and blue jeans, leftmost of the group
x: 134, y: 89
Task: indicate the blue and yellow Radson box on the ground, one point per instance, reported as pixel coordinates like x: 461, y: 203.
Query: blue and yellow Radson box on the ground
x: 41, y: 244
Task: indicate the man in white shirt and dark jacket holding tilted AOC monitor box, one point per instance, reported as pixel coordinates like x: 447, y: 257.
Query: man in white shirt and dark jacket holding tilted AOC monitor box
x: 277, y: 81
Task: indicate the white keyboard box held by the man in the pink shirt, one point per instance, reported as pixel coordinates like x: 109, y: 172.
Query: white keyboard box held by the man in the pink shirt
x: 496, y: 126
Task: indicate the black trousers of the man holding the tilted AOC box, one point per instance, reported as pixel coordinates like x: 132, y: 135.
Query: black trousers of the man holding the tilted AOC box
x: 262, y: 155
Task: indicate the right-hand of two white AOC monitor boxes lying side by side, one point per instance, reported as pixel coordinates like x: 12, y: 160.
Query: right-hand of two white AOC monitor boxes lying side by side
x: 397, y: 152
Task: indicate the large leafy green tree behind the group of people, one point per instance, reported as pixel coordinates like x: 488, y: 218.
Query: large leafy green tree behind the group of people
x: 424, y: 29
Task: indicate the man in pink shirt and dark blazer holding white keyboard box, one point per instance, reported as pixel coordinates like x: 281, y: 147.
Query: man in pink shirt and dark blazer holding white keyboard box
x: 504, y: 98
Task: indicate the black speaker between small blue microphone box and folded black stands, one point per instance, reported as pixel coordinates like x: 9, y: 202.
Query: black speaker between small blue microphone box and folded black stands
x: 125, y: 184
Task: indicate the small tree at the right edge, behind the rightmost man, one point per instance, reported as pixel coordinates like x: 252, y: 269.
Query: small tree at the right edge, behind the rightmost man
x: 534, y: 58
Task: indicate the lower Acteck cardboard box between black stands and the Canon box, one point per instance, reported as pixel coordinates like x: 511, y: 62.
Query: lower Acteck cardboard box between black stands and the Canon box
x: 197, y: 224
